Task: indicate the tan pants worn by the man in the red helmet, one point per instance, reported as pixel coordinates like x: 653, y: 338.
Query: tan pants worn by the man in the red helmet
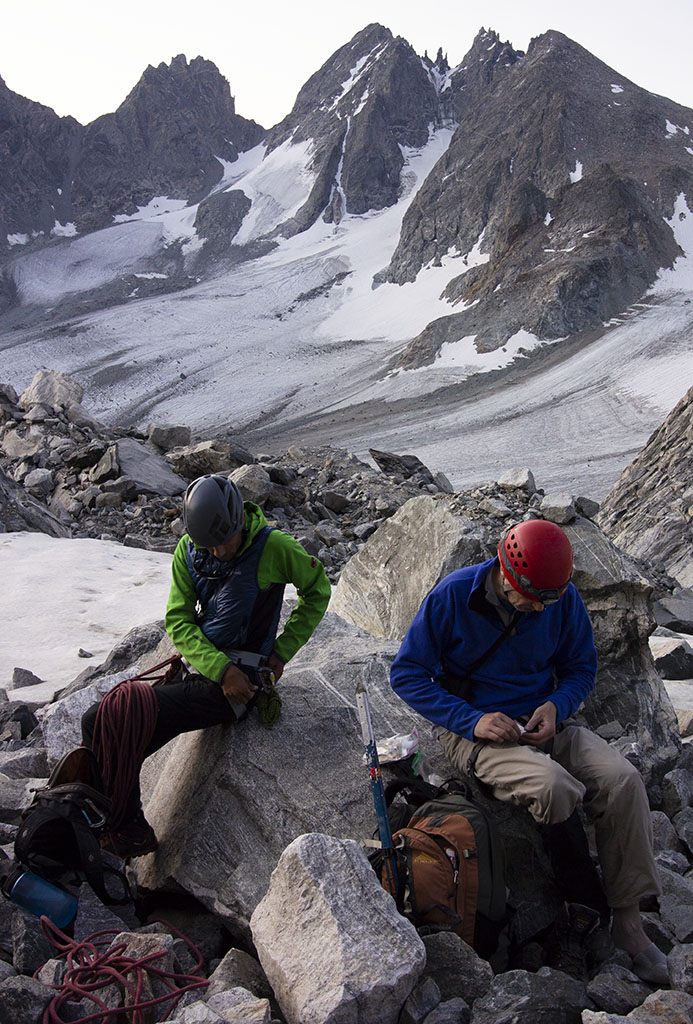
x: 582, y: 769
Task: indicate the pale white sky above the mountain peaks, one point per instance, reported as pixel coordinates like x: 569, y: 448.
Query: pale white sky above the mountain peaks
x: 83, y: 58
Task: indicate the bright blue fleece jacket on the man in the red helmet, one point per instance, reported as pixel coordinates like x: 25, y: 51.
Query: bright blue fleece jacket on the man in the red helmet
x: 552, y: 656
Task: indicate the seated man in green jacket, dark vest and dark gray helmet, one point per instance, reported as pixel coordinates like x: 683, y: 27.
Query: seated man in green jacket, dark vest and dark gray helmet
x: 229, y: 576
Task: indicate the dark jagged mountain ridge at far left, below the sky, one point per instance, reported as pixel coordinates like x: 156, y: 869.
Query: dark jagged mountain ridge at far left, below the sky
x: 165, y: 139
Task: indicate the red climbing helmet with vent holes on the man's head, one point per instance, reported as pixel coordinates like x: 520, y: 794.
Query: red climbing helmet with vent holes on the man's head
x: 537, y: 560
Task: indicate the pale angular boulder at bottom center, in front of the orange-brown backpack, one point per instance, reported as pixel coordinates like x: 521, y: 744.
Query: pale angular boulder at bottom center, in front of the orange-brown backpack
x: 372, y: 959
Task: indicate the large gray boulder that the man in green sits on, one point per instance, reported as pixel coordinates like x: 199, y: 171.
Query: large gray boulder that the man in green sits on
x: 280, y: 783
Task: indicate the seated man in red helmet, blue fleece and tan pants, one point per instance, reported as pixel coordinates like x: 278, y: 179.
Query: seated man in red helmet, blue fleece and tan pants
x: 499, y: 657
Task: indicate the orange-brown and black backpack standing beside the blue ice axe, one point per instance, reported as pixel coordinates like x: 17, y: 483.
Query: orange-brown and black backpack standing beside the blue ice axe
x: 451, y: 868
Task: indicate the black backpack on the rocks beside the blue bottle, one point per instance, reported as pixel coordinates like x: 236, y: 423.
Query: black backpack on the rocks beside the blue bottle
x: 60, y: 834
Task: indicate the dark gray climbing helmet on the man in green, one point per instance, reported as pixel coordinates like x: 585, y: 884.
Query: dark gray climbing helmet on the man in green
x: 213, y: 511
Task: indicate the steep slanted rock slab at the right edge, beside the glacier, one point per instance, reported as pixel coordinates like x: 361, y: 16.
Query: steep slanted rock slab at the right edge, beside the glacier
x: 648, y: 513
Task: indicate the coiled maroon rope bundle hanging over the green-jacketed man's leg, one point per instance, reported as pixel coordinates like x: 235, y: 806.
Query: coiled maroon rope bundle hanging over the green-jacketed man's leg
x: 123, y: 731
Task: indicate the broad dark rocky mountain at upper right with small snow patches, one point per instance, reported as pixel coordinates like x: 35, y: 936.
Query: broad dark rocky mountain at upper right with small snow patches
x: 562, y: 195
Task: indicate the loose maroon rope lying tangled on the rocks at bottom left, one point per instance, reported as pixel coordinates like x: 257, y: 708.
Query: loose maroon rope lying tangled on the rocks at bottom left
x: 95, y: 964
